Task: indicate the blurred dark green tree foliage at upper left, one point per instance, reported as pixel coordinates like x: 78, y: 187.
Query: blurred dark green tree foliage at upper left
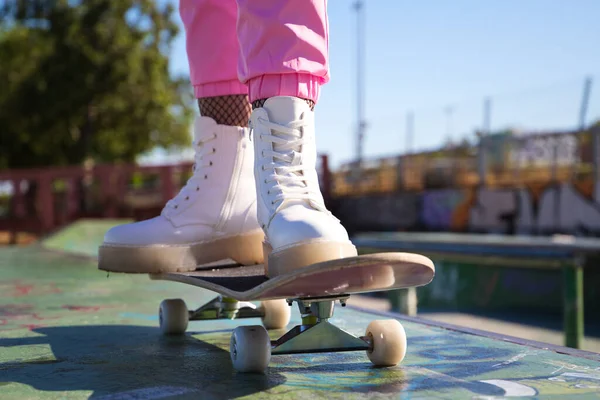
x: 88, y: 80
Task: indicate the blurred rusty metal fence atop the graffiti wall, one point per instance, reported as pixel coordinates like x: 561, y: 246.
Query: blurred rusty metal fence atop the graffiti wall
x: 501, y: 160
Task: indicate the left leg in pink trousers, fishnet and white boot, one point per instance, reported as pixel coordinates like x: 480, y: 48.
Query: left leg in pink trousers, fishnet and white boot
x: 214, y: 215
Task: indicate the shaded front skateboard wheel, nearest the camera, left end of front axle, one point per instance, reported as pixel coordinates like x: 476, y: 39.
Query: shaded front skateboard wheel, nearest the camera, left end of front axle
x: 250, y: 349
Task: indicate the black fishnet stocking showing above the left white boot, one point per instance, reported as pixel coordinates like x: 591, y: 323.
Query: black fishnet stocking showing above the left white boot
x: 231, y: 110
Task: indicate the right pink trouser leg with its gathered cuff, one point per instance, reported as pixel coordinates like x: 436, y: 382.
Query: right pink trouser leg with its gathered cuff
x: 285, y: 48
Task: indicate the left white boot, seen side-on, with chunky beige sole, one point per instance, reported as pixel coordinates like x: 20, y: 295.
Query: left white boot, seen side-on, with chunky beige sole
x: 212, y: 218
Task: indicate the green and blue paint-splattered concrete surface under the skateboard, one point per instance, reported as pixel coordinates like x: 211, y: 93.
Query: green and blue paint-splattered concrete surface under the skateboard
x: 68, y: 330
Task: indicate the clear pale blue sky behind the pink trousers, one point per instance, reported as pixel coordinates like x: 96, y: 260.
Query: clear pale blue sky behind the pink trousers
x: 530, y: 56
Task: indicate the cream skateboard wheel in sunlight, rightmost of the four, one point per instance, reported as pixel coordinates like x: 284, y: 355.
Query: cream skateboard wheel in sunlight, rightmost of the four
x: 388, y: 340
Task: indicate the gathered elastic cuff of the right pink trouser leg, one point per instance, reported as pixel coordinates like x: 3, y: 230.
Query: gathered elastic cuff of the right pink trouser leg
x: 305, y: 86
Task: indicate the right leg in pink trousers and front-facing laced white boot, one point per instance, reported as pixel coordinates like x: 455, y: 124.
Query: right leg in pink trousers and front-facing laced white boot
x: 284, y: 61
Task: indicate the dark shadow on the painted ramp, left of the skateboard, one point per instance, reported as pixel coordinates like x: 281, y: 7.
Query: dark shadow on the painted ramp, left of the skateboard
x: 120, y: 361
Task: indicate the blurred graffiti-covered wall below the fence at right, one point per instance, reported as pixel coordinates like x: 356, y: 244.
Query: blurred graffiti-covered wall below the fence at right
x: 562, y: 208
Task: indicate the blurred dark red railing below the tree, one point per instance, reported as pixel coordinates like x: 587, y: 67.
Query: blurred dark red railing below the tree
x: 40, y: 200
